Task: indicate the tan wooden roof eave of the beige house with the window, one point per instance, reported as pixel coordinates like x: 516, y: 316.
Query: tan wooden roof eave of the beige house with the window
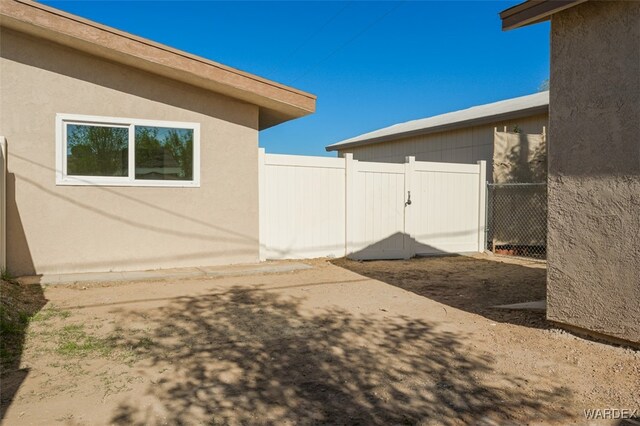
x: 278, y: 103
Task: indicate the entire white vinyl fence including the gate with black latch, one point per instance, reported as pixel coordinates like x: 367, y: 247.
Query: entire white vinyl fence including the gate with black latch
x: 317, y: 207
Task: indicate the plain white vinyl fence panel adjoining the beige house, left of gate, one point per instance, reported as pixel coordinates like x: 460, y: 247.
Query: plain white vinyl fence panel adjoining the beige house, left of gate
x: 302, y: 206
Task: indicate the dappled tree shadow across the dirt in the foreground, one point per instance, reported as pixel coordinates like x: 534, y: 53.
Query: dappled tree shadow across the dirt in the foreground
x: 250, y: 356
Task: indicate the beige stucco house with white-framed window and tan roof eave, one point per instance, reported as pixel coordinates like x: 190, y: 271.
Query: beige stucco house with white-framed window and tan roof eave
x: 125, y: 154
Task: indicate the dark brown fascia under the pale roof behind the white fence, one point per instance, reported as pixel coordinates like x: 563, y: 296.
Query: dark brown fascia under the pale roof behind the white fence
x: 540, y: 109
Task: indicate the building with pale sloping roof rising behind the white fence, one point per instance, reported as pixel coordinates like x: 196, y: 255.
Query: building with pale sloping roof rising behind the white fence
x: 465, y: 136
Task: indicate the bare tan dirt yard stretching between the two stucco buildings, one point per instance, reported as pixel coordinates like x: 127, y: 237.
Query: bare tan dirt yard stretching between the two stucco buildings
x: 372, y: 343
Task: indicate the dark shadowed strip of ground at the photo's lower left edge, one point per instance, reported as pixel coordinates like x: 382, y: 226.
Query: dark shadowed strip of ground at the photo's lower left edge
x: 19, y: 303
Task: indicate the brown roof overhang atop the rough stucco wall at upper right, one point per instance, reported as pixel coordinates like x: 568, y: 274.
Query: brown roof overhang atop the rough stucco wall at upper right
x: 533, y: 11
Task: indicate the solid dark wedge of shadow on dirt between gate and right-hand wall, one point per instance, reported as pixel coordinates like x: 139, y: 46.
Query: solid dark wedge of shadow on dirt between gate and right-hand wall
x: 466, y: 283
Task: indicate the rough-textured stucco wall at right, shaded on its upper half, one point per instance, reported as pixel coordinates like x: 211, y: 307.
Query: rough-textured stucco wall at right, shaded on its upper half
x: 594, y: 169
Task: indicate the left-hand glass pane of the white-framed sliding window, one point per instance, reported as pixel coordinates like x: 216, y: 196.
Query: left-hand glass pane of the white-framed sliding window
x: 97, y: 150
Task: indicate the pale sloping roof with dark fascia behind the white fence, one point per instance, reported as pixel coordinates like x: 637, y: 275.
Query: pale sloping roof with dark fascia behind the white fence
x: 524, y: 106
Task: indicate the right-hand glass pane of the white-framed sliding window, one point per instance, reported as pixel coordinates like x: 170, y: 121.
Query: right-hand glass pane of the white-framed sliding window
x: 164, y: 153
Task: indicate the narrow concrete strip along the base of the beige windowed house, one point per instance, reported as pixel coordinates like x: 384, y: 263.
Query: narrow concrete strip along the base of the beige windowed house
x: 165, y: 274
